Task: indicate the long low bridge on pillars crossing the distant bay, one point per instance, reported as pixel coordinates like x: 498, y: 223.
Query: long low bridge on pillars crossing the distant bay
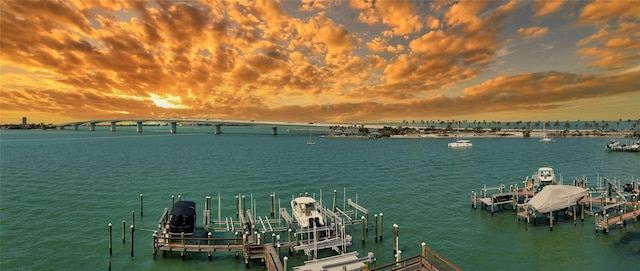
x: 216, y: 123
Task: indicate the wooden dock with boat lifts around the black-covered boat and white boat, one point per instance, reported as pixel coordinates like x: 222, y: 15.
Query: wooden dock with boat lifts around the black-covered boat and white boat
x: 259, y: 237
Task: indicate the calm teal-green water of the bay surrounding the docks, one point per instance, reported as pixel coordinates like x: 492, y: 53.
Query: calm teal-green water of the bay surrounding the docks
x: 60, y: 189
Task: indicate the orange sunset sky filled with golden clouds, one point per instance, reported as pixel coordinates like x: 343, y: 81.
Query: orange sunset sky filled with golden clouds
x: 319, y: 60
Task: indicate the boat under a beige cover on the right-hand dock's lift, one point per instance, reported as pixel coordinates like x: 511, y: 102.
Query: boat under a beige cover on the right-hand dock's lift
x: 556, y: 197
